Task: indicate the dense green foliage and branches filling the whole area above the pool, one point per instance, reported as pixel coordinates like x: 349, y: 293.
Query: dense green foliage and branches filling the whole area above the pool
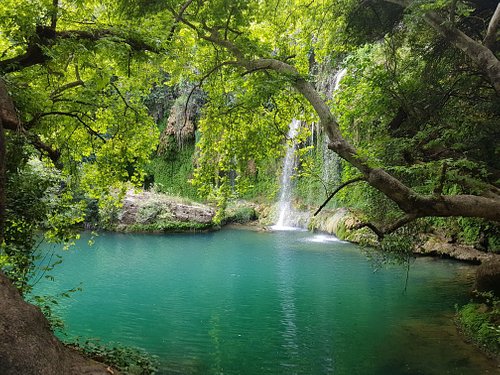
x: 414, y: 118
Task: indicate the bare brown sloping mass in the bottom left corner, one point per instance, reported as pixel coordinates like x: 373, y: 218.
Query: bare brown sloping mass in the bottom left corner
x: 27, y: 345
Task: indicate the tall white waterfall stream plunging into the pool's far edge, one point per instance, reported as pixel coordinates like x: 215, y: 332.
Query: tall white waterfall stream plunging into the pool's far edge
x: 285, y: 203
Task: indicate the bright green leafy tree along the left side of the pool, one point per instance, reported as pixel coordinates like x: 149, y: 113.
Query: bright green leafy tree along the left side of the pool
x: 73, y: 77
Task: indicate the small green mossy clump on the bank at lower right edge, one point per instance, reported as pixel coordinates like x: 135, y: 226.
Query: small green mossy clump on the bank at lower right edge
x: 480, y: 322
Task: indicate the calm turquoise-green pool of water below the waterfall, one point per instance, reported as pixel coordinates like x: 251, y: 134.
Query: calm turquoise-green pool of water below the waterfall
x: 241, y: 302
